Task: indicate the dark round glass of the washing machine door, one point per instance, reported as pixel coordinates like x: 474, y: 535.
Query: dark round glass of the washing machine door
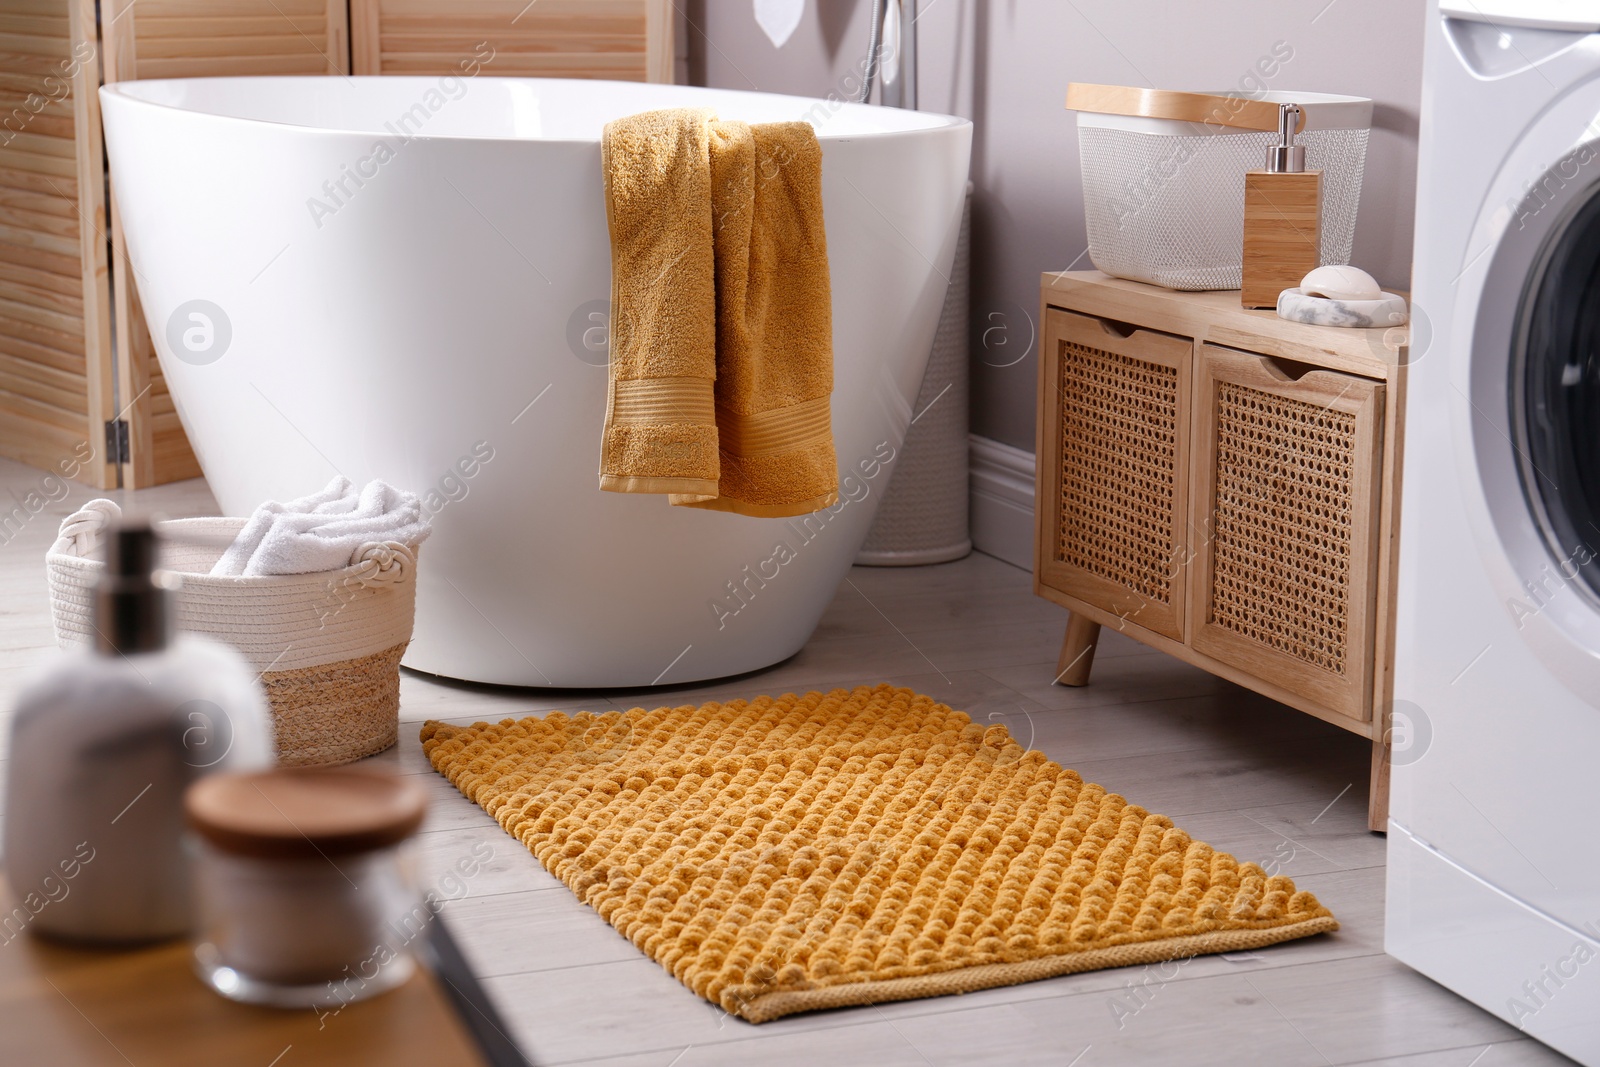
x: 1556, y: 394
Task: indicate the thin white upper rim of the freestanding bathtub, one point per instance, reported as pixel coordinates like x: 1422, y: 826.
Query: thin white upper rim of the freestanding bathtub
x: 126, y: 92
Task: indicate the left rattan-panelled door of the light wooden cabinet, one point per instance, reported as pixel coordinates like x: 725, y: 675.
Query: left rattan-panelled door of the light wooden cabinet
x: 1116, y: 428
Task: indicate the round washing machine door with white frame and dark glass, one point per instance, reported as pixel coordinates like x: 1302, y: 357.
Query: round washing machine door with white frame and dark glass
x: 1535, y: 407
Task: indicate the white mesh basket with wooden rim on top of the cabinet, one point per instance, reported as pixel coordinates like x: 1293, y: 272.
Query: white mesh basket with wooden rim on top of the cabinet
x: 1164, y: 177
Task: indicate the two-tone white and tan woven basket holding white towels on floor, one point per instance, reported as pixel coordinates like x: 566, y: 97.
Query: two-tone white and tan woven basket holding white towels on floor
x: 327, y: 644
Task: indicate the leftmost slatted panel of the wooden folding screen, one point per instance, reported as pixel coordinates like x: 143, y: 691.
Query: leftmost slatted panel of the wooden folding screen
x: 55, y: 292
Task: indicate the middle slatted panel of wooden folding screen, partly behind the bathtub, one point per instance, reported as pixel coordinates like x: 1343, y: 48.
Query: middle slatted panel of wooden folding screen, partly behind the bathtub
x: 188, y: 39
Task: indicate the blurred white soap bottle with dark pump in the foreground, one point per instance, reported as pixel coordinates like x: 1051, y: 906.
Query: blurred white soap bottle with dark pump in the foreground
x: 103, y: 746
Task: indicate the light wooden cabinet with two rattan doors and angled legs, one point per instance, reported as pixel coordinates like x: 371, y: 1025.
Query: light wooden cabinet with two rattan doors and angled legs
x: 1222, y: 486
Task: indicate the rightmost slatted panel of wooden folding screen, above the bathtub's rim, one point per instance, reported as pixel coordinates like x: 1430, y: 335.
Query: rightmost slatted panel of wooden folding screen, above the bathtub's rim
x: 628, y: 41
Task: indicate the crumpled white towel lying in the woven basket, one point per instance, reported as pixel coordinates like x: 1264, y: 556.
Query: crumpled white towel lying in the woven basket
x: 324, y: 532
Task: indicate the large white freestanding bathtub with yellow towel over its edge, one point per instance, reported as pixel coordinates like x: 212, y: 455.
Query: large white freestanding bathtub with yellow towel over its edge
x: 407, y: 279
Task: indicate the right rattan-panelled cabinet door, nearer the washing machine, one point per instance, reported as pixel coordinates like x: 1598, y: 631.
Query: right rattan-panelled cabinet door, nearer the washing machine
x: 1286, y: 510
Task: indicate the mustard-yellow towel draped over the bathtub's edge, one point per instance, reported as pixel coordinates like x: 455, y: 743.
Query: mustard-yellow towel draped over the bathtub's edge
x: 722, y: 359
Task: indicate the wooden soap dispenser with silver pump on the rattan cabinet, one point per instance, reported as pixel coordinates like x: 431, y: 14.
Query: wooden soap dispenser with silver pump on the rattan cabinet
x: 1282, y: 218
